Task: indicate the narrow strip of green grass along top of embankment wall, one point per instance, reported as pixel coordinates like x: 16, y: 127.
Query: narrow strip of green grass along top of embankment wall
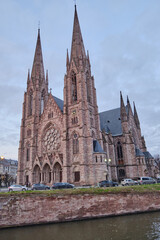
x: 129, y: 189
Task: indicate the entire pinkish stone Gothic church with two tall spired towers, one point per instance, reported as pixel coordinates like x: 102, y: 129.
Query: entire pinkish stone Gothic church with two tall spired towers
x: 69, y: 140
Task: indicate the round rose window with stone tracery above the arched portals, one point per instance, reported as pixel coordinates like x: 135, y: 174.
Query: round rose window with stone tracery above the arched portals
x: 52, y: 139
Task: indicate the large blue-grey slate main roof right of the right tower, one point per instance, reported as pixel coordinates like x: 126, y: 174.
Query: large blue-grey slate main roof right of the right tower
x: 110, y: 121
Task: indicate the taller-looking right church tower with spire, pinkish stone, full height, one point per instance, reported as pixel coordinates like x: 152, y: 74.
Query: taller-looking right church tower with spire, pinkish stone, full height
x: 83, y: 155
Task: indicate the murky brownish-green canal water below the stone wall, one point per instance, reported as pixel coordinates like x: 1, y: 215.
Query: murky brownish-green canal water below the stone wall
x: 133, y: 227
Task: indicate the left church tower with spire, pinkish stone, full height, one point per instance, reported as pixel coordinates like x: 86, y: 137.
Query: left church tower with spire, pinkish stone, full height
x: 35, y: 99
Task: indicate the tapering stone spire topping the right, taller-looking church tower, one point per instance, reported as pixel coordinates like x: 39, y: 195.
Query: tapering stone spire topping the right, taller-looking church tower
x: 77, y: 47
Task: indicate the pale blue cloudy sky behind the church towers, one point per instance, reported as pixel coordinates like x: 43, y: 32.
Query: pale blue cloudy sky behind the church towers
x: 123, y: 39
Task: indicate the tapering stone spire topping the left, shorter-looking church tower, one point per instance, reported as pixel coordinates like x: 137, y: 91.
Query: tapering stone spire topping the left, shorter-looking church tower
x: 38, y: 75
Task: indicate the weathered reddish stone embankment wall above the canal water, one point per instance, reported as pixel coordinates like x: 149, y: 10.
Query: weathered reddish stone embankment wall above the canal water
x: 28, y: 209
